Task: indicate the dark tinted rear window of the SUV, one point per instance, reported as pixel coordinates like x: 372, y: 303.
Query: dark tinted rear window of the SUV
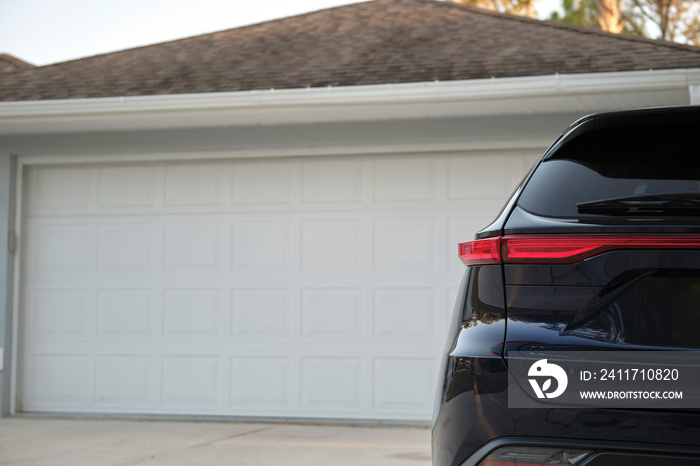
x: 611, y: 163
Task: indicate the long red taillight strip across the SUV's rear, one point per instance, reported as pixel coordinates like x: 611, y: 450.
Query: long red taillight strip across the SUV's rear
x: 561, y: 249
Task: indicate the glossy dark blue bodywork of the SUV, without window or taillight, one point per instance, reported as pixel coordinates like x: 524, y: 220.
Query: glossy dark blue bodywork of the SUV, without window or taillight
x: 631, y: 300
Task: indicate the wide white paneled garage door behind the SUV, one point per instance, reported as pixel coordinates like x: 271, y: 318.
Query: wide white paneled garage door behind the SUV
x: 296, y: 287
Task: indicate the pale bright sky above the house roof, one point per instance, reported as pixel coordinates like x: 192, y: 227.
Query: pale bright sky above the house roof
x: 42, y: 32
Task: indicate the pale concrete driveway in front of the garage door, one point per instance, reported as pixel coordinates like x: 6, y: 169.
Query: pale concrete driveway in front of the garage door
x: 53, y: 441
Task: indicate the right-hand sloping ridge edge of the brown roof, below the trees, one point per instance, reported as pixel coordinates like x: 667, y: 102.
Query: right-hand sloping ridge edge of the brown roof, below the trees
x: 558, y: 25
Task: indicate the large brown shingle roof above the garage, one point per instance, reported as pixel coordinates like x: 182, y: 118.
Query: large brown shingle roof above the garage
x: 376, y: 42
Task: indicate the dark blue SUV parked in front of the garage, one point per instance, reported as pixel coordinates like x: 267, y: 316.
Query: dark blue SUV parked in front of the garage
x: 597, y: 250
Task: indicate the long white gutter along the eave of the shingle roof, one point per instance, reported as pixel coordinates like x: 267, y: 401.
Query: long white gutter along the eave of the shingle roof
x: 351, y: 103
